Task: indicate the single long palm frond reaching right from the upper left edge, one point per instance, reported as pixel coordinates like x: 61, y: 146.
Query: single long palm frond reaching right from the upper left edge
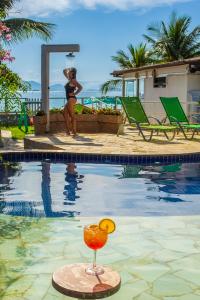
x: 25, y: 28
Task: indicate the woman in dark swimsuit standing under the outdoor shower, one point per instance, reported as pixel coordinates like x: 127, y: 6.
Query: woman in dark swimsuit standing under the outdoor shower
x: 72, y: 88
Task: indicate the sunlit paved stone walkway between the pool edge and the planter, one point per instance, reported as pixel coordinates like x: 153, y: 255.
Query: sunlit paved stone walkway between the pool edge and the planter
x: 129, y: 143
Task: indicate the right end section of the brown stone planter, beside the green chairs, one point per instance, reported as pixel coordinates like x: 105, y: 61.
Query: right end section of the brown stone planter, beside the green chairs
x: 109, y: 123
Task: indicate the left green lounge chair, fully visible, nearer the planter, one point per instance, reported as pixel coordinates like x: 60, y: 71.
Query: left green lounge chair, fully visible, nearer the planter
x: 137, y: 117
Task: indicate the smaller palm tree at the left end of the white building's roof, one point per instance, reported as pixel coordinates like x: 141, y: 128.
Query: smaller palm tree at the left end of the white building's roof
x: 137, y: 57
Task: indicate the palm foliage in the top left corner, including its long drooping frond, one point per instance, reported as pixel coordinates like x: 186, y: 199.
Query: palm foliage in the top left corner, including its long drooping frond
x: 22, y: 28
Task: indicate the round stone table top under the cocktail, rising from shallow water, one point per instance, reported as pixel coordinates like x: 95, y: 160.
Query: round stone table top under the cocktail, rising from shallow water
x: 72, y: 280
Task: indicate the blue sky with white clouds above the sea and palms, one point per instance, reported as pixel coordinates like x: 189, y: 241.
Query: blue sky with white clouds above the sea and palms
x: 101, y: 27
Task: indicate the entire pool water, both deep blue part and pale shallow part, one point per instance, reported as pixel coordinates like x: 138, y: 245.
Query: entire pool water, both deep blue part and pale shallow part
x: 156, y: 246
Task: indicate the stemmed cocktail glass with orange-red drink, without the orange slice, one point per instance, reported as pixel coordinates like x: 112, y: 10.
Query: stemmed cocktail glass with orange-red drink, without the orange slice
x: 95, y: 238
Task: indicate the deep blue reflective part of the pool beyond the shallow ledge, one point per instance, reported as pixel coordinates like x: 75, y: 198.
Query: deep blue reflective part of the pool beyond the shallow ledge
x: 46, y: 189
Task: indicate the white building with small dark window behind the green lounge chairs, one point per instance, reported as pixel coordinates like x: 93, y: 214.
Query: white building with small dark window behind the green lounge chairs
x: 179, y: 83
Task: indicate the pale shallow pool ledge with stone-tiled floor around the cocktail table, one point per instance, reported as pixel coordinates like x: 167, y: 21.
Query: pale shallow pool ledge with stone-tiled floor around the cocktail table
x: 158, y: 258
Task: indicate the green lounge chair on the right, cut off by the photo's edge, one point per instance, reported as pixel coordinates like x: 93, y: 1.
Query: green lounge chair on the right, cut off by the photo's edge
x: 177, y: 116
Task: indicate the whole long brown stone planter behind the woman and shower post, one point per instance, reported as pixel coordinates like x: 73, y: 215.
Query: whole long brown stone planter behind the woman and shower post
x: 84, y: 123
